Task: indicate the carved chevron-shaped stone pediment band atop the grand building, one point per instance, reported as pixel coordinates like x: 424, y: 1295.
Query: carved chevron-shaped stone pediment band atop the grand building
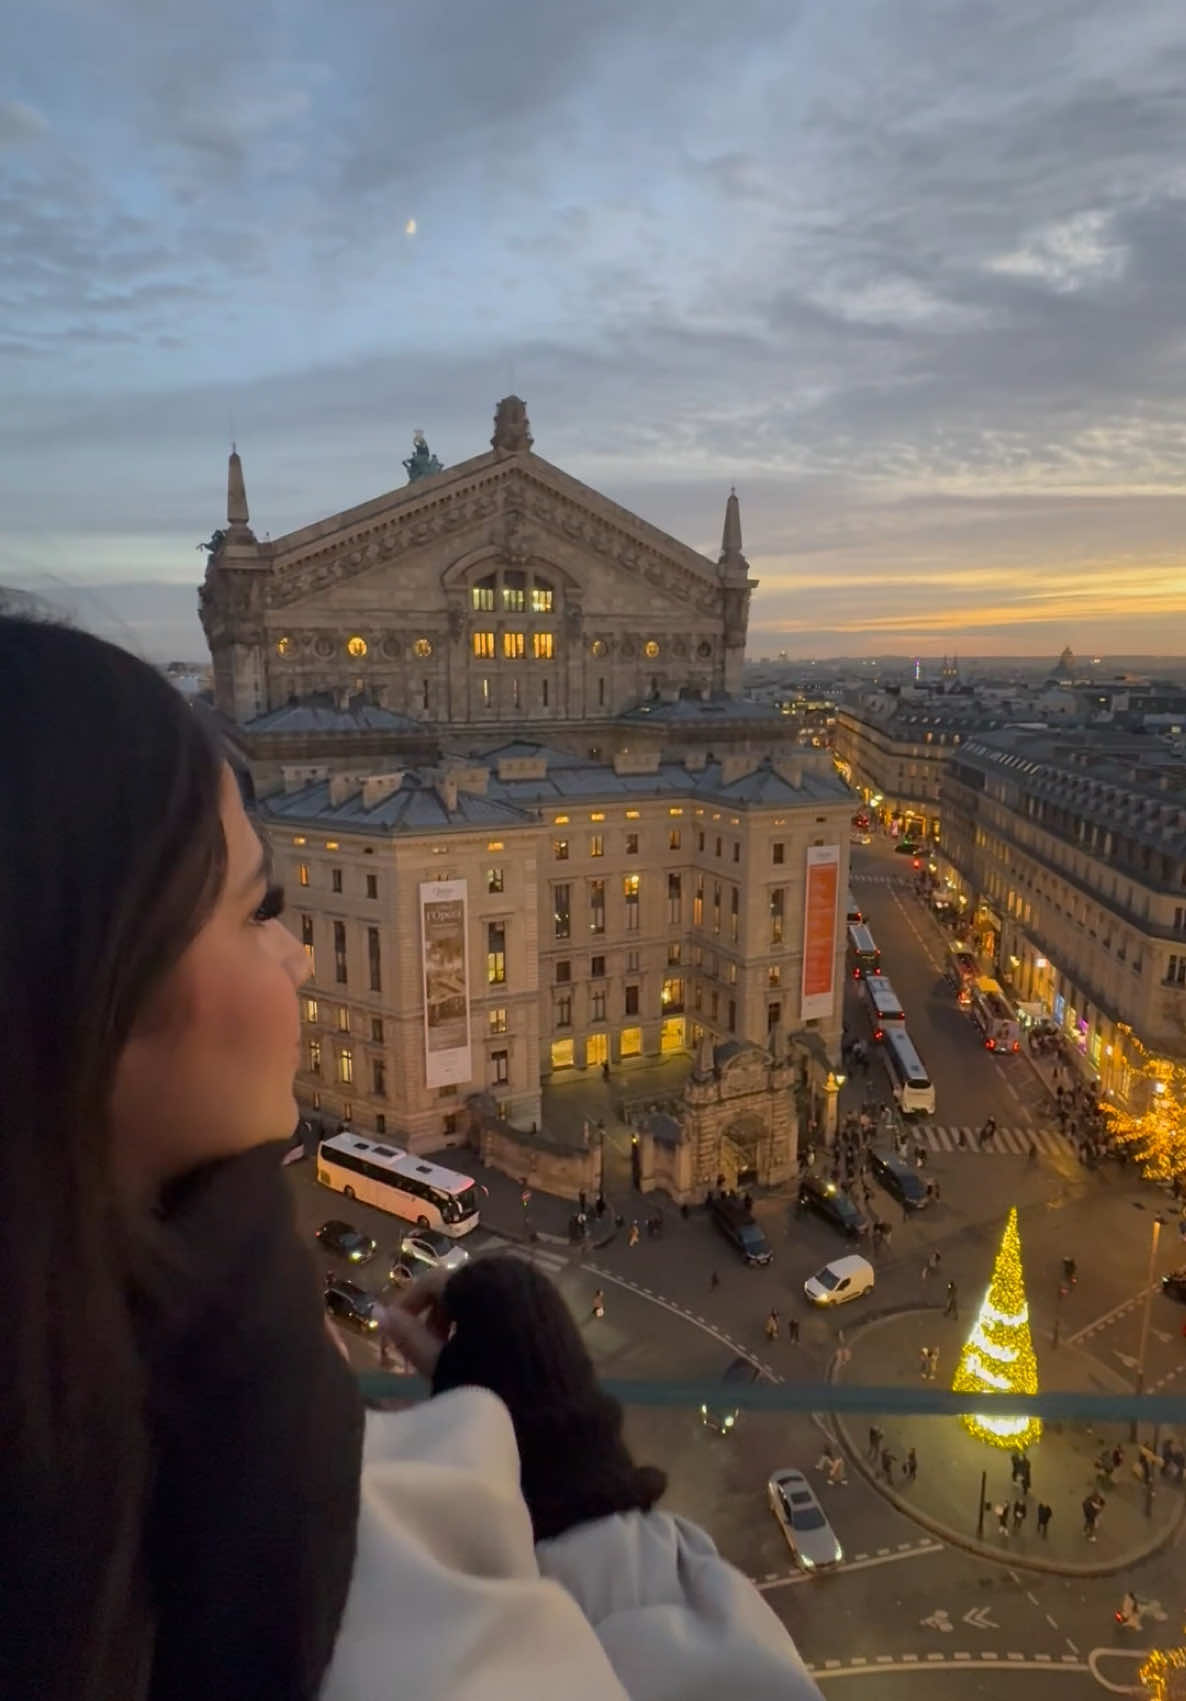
x: 498, y: 503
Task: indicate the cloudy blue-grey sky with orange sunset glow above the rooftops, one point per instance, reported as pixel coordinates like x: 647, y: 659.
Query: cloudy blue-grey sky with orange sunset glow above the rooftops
x: 909, y: 273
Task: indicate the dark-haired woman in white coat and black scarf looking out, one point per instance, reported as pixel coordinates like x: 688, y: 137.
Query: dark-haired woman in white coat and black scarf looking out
x: 188, y: 1506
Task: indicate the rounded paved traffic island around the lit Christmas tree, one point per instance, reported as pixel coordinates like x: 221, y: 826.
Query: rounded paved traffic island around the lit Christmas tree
x: 945, y: 1498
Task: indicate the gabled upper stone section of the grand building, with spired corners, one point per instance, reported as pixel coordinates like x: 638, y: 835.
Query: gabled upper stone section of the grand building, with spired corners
x: 488, y: 594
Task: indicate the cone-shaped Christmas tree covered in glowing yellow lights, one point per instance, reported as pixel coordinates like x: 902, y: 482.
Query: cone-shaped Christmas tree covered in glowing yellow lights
x: 998, y: 1355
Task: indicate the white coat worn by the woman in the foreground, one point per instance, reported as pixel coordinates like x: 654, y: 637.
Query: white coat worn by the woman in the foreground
x: 452, y: 1601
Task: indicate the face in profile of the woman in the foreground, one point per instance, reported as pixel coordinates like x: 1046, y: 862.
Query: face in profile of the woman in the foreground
x: 210, y: 1066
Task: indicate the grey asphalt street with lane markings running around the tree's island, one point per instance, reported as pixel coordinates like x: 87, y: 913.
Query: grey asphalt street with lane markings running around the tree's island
x: 904, y: 1598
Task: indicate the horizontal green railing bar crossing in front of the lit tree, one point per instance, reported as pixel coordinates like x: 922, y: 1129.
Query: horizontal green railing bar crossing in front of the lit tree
x: 847, y: 1397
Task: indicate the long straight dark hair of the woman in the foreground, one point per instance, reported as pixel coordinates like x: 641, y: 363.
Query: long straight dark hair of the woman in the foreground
x: 111, y: 856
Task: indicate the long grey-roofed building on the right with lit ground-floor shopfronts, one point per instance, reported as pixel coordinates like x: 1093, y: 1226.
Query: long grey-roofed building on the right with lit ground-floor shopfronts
x: 1071, y: 853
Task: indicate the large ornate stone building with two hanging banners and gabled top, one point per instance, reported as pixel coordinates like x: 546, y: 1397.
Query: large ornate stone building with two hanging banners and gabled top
x: 527, y: 822
